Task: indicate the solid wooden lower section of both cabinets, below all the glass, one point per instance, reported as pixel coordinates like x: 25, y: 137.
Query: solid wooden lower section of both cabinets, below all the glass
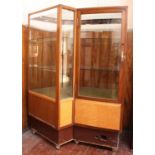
x: 100, y: 122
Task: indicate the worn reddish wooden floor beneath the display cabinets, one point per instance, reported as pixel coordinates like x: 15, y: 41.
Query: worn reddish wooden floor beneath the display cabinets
x: 36, y: 145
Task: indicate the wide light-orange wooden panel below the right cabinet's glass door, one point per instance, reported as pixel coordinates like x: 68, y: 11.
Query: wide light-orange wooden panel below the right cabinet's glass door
x: 98, y: 114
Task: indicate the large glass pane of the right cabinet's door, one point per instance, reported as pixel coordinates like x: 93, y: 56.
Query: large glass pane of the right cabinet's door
x: 100, y: 52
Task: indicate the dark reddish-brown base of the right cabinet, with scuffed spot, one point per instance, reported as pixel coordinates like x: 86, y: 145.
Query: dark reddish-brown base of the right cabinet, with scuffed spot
x: 96, y: 136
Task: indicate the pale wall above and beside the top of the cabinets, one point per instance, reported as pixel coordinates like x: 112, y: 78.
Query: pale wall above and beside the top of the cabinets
x: 33, y: 5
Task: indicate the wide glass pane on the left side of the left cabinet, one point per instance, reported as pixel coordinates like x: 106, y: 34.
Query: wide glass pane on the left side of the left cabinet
x: 42, y: 49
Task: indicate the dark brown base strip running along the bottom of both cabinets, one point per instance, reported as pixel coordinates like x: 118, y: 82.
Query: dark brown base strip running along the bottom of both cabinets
x: 100, y: 137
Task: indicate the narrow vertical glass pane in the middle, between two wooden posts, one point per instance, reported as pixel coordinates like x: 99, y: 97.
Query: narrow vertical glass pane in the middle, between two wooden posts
x: 66, y: 76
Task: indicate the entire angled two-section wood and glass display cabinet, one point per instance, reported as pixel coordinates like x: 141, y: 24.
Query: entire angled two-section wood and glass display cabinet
x: 76, y: 80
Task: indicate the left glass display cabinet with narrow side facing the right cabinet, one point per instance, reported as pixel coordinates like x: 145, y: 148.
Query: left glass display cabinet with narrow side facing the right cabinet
x: 51, y: 76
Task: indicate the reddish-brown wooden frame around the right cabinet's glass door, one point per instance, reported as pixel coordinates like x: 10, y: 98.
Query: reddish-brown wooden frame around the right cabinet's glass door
x: 123, y: 11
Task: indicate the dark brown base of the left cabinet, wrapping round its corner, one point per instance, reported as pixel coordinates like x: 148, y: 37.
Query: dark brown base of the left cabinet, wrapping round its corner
x: 57, y: 137
